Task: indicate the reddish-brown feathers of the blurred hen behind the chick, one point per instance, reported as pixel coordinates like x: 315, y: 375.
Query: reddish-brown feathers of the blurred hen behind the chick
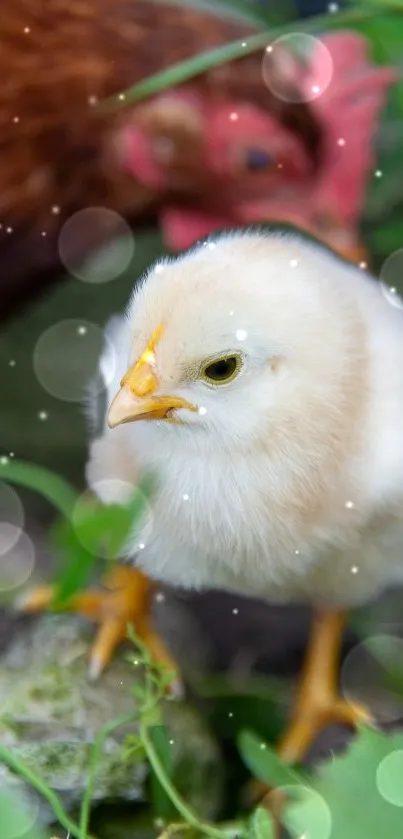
x: 57, y: 62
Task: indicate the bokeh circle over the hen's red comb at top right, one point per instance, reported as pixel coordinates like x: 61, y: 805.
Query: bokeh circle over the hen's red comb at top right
x: 297, y: 67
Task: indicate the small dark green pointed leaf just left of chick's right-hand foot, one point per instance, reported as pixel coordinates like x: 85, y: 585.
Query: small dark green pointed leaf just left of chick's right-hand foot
x: 263, y: 762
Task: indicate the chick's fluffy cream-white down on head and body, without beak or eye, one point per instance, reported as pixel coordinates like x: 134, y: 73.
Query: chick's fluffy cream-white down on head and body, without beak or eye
x: 287, y: 483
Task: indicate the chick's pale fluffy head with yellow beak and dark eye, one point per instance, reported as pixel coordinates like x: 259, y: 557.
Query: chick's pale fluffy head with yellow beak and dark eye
x: 231, y: 341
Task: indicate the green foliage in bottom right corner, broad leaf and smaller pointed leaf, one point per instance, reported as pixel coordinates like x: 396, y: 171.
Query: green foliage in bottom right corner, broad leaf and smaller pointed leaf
x: 344, y: 798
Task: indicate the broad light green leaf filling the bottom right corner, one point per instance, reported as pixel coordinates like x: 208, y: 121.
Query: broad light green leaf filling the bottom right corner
x: 348, y: 798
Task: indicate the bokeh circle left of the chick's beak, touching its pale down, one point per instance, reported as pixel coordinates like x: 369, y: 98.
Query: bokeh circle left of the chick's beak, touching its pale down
x: 66, y: 359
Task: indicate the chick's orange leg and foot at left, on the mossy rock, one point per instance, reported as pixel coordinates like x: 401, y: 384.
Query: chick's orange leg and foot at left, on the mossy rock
x: 123, y: 600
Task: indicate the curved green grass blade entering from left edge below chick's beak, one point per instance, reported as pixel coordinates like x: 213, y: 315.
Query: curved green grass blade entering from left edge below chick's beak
x: 55, y: 489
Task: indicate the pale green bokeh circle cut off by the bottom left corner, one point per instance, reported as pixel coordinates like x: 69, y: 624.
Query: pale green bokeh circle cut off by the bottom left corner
x: 19, y: 810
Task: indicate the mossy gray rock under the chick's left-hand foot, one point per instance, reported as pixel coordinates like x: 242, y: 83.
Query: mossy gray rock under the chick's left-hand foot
x: 50, y: 713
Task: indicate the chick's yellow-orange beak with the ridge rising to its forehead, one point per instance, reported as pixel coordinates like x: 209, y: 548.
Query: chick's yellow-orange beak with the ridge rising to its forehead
x: 138, y: 397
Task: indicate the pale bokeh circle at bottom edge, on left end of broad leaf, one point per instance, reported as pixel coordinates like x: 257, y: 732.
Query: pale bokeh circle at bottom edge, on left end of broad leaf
x: 307, y: 815
